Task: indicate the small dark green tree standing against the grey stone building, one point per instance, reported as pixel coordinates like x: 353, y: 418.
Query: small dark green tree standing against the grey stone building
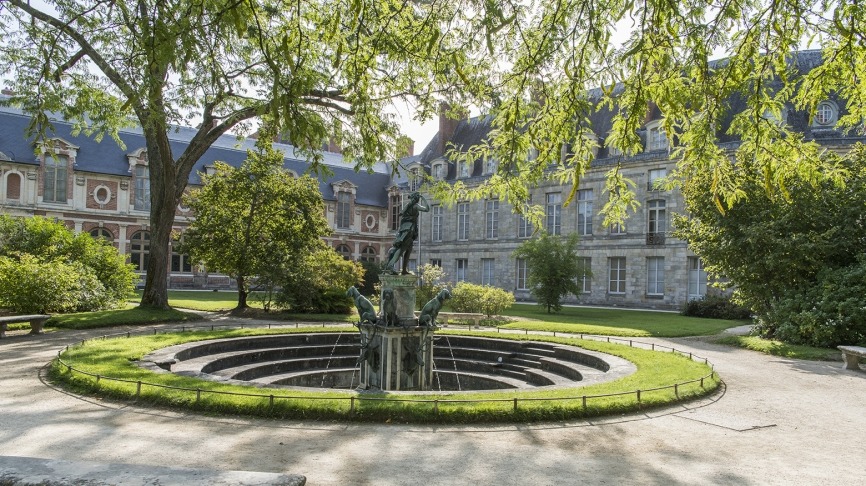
x: 553, y: 267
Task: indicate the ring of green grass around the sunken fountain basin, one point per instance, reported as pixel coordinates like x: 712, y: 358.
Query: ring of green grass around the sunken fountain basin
x: 97, y: 367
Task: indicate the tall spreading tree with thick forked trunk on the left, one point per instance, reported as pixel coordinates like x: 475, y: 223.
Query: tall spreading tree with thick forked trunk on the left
x: 321, y: 69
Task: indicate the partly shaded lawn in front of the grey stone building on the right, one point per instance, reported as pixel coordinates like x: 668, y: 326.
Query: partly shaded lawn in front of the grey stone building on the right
x: 614, y: 322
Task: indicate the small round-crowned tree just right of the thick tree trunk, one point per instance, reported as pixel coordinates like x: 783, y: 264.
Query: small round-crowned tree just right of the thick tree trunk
x: 254, y: 218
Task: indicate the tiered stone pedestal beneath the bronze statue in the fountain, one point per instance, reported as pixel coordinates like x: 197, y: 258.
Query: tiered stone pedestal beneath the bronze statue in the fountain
x: 396, y: 353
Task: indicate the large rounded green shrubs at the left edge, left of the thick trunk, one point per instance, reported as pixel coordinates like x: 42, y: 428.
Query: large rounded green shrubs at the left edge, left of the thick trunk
x: 47, y: 268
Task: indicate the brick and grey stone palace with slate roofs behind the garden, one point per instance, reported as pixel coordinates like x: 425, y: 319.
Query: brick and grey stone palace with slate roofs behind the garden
x: 103, y: 190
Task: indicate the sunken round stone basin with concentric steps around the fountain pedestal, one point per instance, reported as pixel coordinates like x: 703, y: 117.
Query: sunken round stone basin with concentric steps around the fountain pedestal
x: 330, y: 360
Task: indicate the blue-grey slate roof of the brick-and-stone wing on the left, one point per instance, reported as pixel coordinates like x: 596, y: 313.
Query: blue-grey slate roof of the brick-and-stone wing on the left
x: 106, y: 157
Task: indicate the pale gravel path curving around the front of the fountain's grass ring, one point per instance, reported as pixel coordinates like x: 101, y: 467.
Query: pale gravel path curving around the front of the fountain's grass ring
x: 777, y: 421
